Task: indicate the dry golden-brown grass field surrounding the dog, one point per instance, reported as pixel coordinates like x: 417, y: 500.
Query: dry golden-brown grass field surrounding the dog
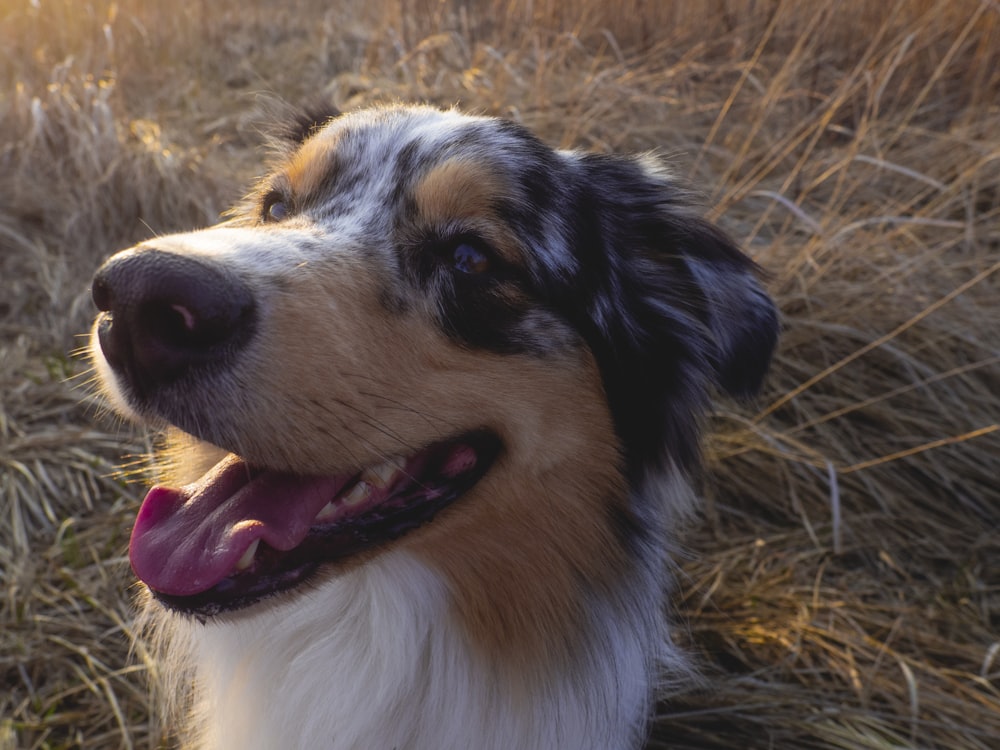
x: 842, y: 586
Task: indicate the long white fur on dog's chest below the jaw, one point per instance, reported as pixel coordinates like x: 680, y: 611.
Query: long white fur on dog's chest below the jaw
x: 375, y: 659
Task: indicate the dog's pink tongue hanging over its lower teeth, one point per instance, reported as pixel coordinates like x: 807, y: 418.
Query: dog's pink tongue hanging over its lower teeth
x: 187, y: 540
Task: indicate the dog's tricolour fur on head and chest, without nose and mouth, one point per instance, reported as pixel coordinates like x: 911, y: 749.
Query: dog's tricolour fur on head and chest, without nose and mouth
x: 531, y: 613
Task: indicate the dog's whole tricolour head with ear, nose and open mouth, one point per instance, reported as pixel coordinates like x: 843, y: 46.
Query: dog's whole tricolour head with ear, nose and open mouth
x: 417, y: 314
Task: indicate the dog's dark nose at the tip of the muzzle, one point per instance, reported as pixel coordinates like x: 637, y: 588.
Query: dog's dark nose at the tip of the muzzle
x: 165, y: 313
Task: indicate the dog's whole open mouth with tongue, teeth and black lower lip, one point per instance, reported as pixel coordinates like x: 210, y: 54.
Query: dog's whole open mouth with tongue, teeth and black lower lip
x: 242, y: 533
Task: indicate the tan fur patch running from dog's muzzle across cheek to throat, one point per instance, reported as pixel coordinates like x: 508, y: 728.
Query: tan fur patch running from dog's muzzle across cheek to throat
x: 365, y: 384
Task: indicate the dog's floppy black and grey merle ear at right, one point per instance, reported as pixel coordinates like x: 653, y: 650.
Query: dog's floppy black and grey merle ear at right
x: 676, y: 307
